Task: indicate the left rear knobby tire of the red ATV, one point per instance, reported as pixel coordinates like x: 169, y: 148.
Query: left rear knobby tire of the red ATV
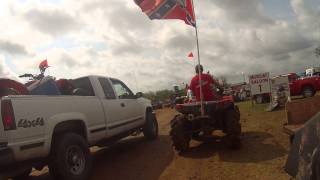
x: 180, y: 133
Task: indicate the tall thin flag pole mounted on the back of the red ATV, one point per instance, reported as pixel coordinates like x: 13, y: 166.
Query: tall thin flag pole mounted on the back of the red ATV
x: 198, y: 50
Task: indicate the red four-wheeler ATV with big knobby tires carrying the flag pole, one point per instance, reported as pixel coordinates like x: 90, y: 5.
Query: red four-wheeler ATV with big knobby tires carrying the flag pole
x: 219, y: 115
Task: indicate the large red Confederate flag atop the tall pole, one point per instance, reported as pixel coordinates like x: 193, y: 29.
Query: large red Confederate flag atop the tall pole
x: 168, y: 9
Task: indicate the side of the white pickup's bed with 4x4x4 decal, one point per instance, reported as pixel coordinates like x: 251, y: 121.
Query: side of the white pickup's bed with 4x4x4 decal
x: 35, y: 117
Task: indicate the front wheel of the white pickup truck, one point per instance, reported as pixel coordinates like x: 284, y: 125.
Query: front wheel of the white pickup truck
x: 150, y: 130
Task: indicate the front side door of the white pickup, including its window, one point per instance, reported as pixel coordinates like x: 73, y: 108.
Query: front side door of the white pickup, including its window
x: 122, y: 110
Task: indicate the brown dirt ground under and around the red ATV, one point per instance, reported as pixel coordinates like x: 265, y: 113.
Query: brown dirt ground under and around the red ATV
x: 262, y: 156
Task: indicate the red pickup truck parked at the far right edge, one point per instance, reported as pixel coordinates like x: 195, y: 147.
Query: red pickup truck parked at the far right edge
x: 306, y: 86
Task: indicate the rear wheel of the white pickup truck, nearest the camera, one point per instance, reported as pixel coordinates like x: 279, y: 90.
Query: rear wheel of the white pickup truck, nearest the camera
x: 71, y: 158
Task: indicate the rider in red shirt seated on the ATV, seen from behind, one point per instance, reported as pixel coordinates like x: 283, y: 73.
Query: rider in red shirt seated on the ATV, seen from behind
x: 207, y: 82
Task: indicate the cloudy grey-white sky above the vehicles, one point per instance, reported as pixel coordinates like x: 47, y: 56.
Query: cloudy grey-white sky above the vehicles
x: 114, y: 38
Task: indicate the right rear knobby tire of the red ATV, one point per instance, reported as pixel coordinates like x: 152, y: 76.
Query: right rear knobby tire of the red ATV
x: 233, y: 128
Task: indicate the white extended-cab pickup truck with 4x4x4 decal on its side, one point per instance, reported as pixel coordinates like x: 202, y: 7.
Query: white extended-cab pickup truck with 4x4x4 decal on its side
x: 58, y: 130
